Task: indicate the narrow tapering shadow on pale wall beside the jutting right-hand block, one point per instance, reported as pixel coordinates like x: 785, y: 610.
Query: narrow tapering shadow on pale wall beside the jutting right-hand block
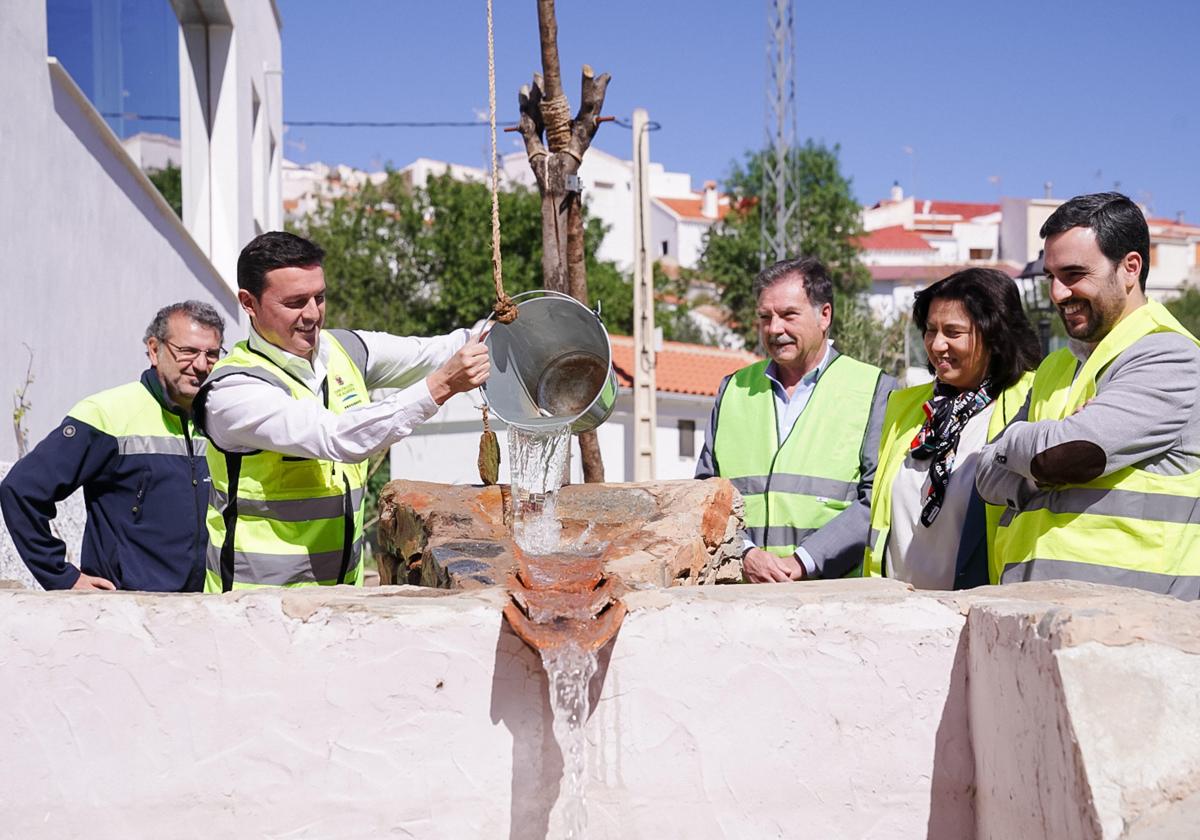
x: 952, y: 788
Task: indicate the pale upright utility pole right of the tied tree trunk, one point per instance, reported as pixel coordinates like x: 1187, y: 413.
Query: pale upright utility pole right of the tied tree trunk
x: 645, y: 388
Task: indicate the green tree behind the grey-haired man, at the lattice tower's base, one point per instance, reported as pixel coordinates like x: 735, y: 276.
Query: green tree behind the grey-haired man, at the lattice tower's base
x: 827, y: 227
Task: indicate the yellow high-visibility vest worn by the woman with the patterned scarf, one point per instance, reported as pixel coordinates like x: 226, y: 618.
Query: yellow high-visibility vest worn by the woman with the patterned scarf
x: 902, y: 422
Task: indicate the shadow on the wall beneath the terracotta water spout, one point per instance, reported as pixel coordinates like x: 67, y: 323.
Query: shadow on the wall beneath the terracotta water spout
x: 521, y: 701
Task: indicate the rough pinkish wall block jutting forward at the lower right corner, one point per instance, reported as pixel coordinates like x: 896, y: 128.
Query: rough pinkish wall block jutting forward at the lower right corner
x: 1083, y: 712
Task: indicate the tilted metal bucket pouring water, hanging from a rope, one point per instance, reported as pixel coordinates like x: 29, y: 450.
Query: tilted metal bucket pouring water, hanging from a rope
x: 551, y: 367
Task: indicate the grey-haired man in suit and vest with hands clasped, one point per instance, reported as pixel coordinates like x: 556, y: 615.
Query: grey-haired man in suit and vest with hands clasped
x: 799, y: 435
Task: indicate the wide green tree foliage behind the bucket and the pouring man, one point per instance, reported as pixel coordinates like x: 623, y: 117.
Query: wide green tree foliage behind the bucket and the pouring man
x: 417, y: 261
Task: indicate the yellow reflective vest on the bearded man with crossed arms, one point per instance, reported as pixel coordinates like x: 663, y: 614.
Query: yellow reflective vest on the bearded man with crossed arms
x: 1129, y: 529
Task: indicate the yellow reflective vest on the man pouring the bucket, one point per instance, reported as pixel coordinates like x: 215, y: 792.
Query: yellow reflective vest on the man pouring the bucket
x: 278, y: 520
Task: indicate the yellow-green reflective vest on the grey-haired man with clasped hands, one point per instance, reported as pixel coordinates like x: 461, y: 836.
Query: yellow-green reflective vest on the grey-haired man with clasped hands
x: 791, y: 489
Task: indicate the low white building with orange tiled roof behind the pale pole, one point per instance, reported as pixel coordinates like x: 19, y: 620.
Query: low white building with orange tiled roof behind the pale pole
x: 446, y: 448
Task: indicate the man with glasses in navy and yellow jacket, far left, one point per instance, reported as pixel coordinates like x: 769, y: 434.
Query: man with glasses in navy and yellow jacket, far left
x: 146, y: 479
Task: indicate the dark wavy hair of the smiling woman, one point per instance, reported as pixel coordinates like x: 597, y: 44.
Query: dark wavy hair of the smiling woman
x: 994, y: 305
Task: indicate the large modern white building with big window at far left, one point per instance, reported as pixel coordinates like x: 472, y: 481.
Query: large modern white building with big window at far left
x: 85, y: 277
